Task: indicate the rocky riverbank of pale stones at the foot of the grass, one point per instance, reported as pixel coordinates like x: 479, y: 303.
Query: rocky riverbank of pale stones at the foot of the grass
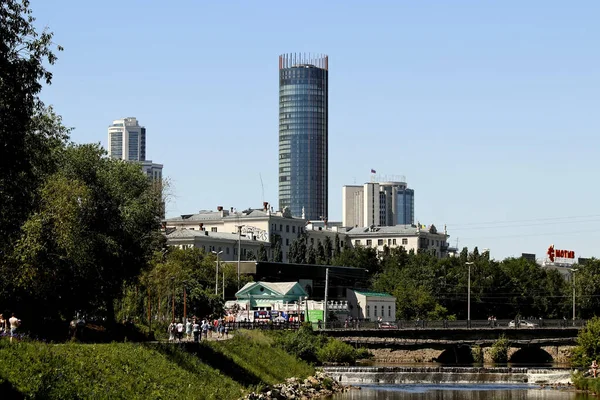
x: 312, y: 387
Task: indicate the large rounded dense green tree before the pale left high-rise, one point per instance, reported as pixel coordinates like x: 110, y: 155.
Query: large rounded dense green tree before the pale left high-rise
x: 94, y: 231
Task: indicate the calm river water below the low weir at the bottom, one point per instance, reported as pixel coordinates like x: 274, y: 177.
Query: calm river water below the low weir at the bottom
x: 460, y: 392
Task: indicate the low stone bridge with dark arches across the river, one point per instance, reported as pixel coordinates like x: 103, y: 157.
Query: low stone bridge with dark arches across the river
x: 543, y: 345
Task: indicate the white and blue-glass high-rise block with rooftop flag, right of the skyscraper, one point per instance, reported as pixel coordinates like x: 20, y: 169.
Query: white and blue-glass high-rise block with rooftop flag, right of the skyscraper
x: 378, y: 204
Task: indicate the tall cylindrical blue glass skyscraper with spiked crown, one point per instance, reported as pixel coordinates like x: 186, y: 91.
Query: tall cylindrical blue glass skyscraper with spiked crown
x: 303, y: 134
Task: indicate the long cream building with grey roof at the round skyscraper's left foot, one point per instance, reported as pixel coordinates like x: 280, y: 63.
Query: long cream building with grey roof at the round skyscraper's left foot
x: 261, y: 225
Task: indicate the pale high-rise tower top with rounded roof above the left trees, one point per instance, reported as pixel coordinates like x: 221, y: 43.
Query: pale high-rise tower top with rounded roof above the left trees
x: 127, y: 140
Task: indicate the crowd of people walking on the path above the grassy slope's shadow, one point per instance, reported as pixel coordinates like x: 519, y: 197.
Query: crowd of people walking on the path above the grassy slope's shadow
x: 197, y: 330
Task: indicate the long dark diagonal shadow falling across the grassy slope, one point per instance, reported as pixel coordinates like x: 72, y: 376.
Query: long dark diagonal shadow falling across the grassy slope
x: 210, y: 357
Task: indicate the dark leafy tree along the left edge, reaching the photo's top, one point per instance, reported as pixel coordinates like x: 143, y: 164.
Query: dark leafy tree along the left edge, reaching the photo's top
x: 32, y: 134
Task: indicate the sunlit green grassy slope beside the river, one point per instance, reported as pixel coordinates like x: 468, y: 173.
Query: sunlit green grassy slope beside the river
x: 218, y: 370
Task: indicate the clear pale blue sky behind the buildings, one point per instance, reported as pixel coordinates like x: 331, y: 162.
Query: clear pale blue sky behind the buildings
x: 489, y: 108
